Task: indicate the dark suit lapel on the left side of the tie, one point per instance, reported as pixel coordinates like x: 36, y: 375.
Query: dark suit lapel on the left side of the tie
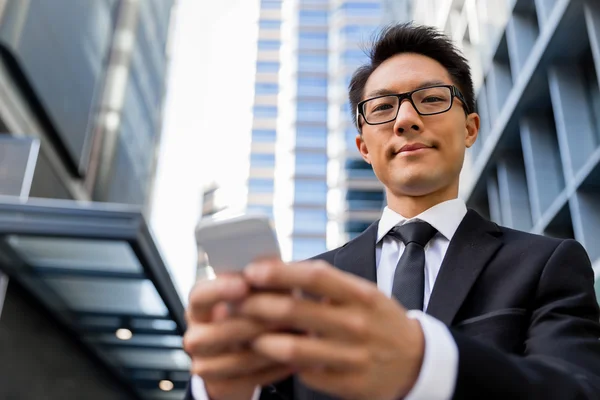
x: 358, y: 255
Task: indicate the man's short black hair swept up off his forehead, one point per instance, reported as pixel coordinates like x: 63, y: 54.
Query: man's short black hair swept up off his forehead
x: 408, y: 38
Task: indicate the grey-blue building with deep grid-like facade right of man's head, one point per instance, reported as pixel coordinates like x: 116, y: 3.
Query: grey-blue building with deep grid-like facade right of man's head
x: 535, y: 165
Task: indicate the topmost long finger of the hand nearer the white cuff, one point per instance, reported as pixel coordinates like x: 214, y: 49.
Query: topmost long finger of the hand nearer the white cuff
x: 313, y: 277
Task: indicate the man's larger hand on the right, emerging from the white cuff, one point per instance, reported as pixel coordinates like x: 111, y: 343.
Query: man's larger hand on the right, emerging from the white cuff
x: 360, y: 344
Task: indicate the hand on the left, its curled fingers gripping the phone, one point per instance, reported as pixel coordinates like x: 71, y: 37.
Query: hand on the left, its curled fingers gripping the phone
x: 218, y: 342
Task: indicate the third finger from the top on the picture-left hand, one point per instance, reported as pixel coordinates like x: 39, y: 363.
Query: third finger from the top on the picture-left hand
x: 230, y: 365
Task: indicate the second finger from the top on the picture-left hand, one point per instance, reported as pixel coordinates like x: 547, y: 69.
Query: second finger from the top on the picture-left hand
x: 215, y: 338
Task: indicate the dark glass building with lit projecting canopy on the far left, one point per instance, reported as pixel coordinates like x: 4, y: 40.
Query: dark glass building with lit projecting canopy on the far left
x: 86, y: 79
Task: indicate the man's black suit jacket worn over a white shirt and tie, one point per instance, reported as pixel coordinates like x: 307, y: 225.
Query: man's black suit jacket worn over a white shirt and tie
x: 521, y: 308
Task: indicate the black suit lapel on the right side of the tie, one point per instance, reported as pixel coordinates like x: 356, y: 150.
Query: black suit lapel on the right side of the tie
x: 475, y: 242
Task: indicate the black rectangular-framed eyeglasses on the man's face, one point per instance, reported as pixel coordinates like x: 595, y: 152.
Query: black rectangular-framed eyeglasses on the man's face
x: 426, y: 101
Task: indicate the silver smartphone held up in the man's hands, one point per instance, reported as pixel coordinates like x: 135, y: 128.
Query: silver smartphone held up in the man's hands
x: 231, y: 244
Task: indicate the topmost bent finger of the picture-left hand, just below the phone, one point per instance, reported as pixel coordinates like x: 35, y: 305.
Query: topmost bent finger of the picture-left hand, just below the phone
x: 206, y: 294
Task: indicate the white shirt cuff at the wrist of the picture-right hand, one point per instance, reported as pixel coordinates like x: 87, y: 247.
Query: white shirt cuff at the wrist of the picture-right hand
x: 437, y: 378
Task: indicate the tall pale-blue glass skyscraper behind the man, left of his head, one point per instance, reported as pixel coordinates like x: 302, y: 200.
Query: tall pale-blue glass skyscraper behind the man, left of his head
x: 304, y: 169
